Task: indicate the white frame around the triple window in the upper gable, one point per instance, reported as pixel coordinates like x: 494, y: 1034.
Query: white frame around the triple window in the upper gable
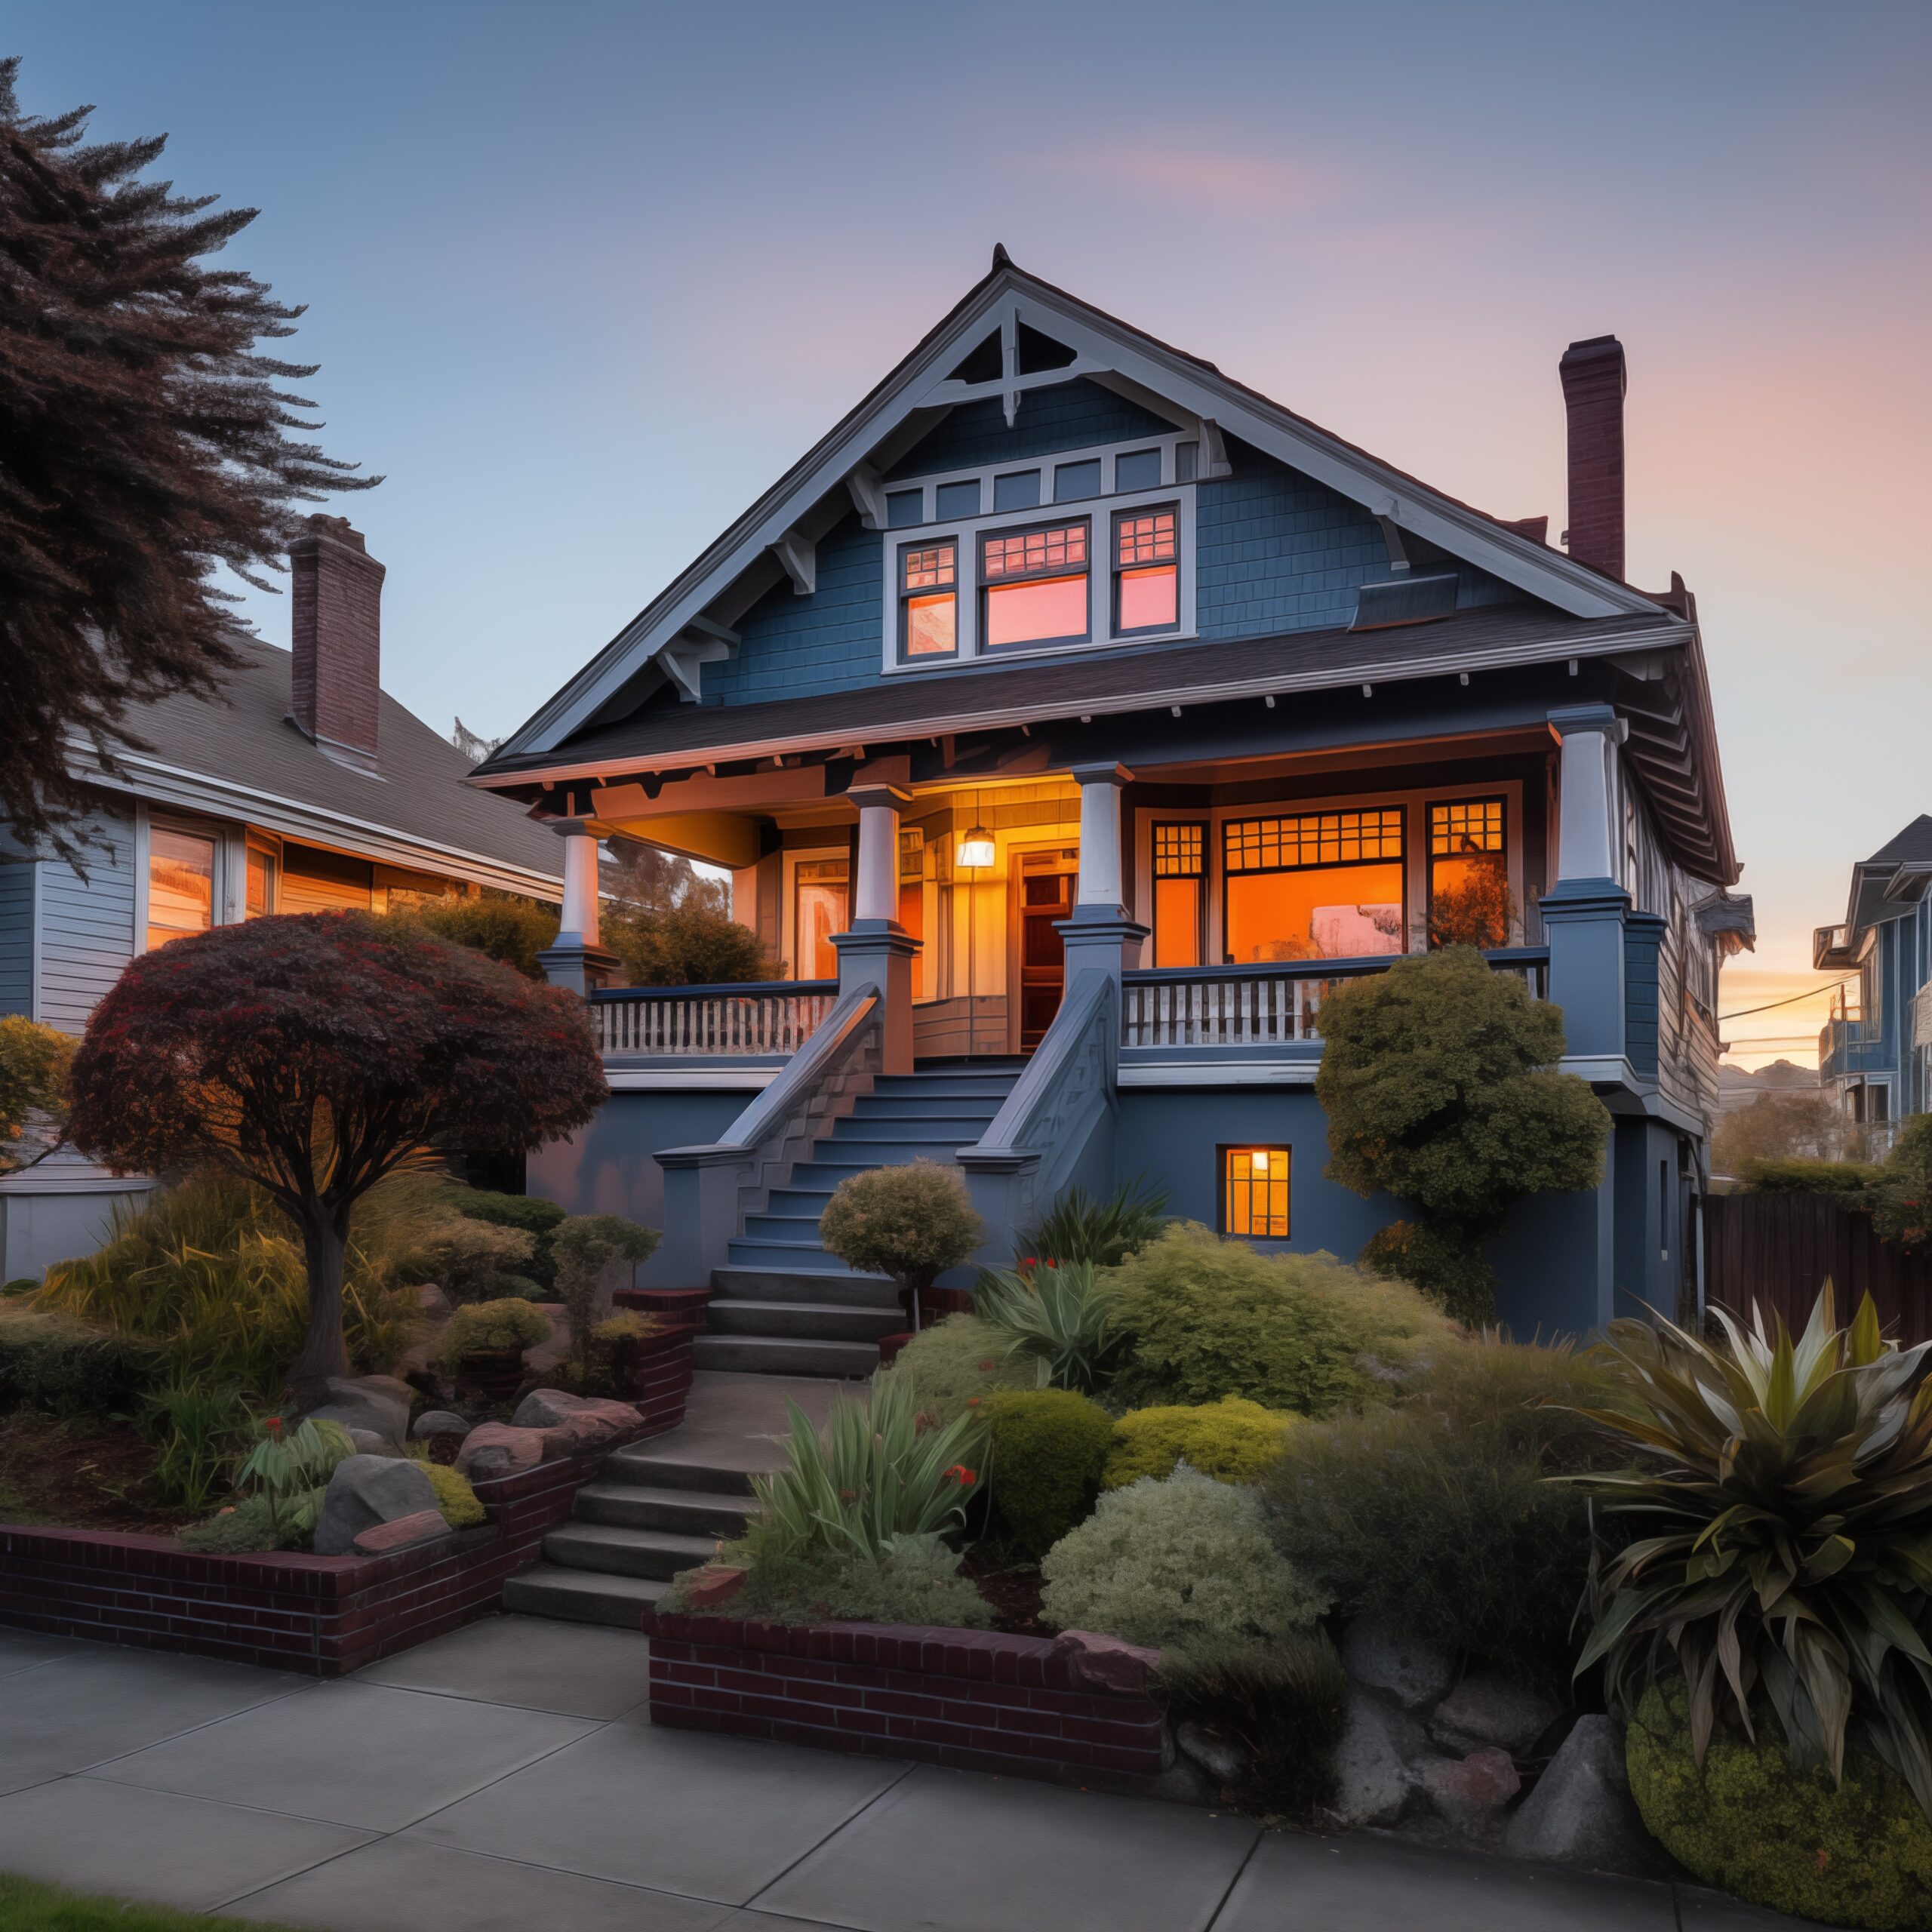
x: 1100, y: 515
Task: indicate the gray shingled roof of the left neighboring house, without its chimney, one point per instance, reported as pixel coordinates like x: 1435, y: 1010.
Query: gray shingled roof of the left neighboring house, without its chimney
x: 244, y: 758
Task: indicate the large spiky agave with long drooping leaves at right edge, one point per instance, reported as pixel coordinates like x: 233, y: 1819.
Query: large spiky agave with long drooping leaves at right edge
x: 1786, y: 1489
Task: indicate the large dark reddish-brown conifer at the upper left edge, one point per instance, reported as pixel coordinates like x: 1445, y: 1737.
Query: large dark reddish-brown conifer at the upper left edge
x: 144, y: 441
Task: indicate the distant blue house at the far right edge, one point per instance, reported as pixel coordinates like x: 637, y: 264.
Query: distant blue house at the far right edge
x: 1875, y: 1054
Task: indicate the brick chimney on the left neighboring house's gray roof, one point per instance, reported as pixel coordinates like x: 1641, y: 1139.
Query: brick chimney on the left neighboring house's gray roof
x: 337, y: 675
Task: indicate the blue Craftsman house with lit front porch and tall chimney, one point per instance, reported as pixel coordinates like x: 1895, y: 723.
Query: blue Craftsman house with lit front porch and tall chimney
x: 1071, y: 718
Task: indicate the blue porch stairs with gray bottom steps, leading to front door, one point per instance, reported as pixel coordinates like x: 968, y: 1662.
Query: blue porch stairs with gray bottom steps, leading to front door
x: 785, y: 1307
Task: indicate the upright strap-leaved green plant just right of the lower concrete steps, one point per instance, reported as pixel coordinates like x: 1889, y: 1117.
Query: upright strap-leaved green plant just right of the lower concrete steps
x: 874, y: 1473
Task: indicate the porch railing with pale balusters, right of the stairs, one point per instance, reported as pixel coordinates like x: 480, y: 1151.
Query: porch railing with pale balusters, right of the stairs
x: 1264, y: 1006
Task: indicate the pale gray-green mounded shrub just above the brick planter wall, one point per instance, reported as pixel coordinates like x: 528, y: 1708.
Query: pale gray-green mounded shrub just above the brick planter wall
x: 1178, y: 1562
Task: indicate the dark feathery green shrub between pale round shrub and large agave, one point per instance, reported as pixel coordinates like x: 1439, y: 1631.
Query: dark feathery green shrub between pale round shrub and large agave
x: 1436, y: 1521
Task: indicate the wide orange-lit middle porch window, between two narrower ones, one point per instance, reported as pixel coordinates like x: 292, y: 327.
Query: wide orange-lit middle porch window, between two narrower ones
x: 1317, y: 886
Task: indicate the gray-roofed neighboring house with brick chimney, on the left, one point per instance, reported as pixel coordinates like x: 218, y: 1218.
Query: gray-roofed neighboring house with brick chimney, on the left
x: 304, y: 789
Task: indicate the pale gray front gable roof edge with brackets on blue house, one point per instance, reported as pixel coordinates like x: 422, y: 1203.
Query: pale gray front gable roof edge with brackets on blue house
x: 776, y: 536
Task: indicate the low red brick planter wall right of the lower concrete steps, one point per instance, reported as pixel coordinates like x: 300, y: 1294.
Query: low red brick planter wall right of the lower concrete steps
x: 973, y: 1699
